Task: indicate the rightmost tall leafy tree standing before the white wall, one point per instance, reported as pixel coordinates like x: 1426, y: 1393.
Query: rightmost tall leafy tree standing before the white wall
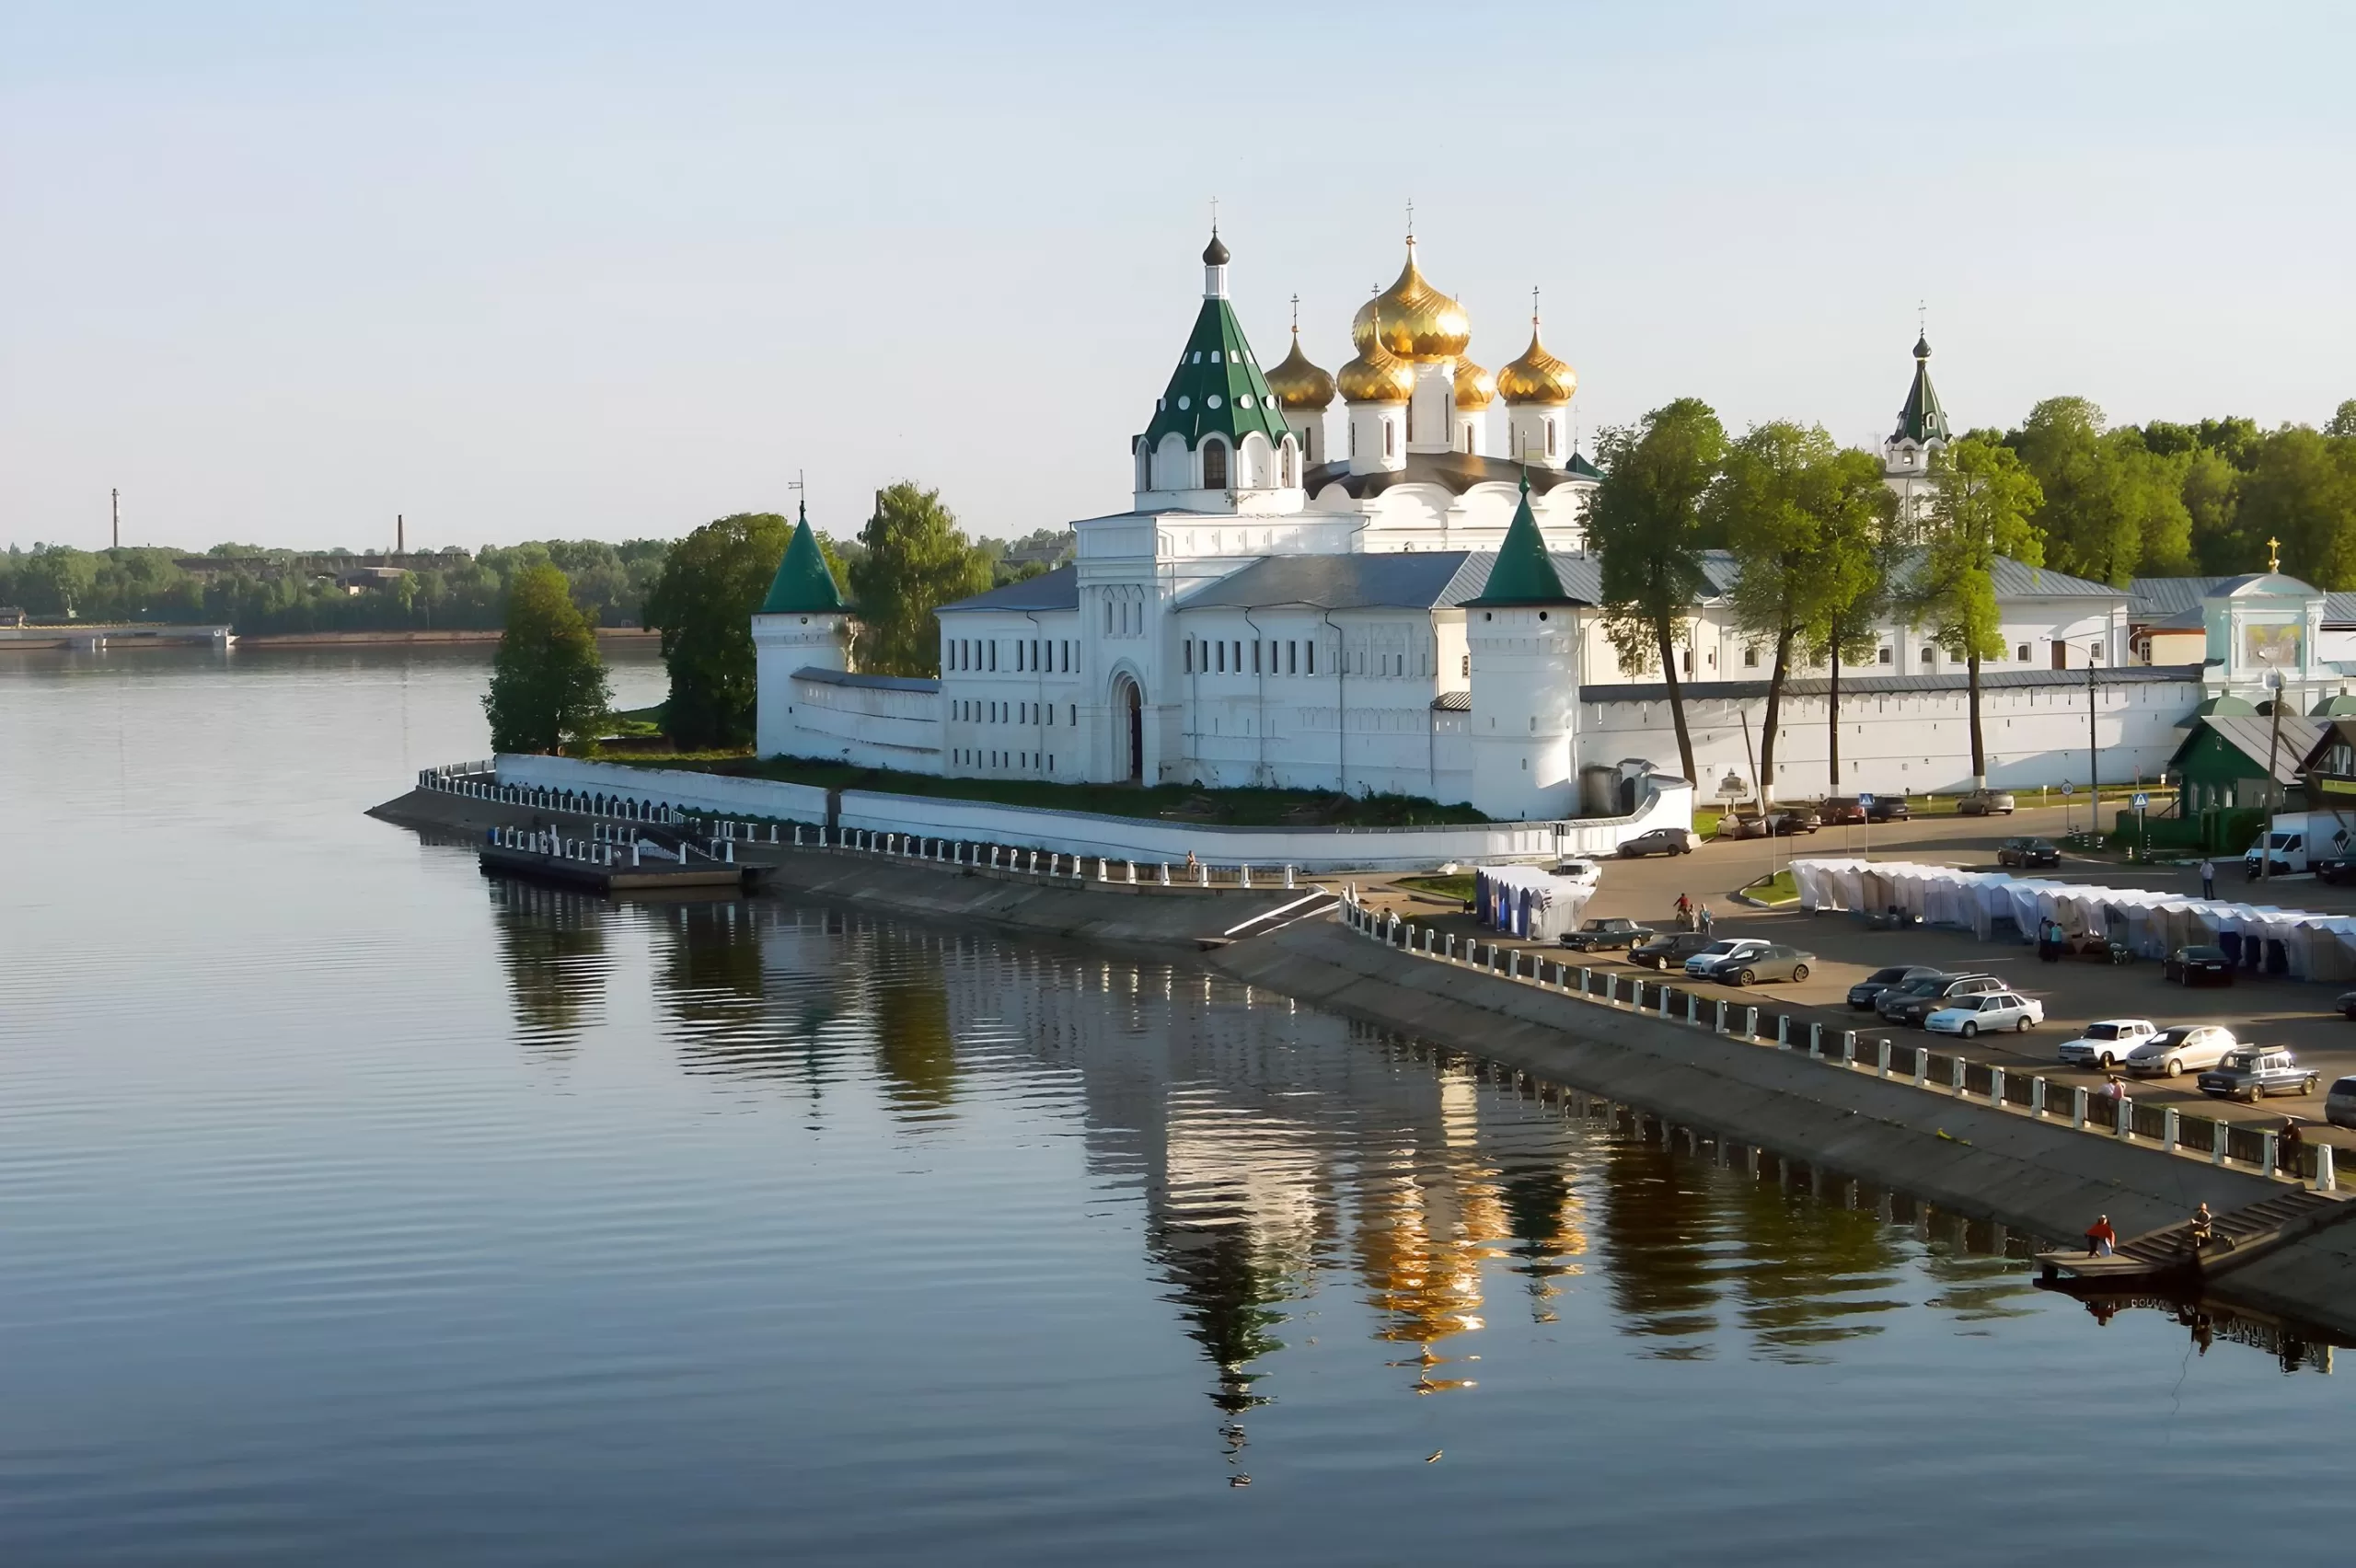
x: 1983, y: 500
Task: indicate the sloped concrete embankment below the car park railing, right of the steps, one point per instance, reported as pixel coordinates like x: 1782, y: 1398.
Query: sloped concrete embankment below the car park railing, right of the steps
x: 2041, y: 1178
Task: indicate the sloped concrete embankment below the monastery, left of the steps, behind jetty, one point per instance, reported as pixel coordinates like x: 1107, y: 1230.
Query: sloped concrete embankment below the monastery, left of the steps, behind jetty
x: 1116, y: 915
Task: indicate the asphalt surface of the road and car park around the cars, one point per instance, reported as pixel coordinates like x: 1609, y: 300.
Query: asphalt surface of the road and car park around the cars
x: 2074, y: 992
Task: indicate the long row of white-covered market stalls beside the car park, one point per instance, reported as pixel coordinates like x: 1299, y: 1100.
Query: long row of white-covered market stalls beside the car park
x: 1994, y: 905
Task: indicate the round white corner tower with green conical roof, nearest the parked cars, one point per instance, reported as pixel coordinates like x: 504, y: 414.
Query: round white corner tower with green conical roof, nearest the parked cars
x: 1523, y: 634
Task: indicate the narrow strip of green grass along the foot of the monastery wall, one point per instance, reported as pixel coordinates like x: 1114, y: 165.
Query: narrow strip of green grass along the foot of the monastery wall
x: 1163, y: 802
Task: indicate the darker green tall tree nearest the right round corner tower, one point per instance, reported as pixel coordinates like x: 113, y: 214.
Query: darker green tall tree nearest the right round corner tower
x: 1650, y: 531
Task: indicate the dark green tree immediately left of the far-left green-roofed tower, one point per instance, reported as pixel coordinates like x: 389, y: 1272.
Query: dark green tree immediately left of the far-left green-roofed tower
x: 703, y: 604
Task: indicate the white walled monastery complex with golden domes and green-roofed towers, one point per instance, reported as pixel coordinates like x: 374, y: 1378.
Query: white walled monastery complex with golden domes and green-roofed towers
x: 1415, y: 609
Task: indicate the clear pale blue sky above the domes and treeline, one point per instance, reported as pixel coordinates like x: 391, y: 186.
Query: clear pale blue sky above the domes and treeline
x: 585, y: 270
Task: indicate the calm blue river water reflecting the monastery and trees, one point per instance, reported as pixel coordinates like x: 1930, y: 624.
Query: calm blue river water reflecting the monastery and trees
x: 362, y: 1211
